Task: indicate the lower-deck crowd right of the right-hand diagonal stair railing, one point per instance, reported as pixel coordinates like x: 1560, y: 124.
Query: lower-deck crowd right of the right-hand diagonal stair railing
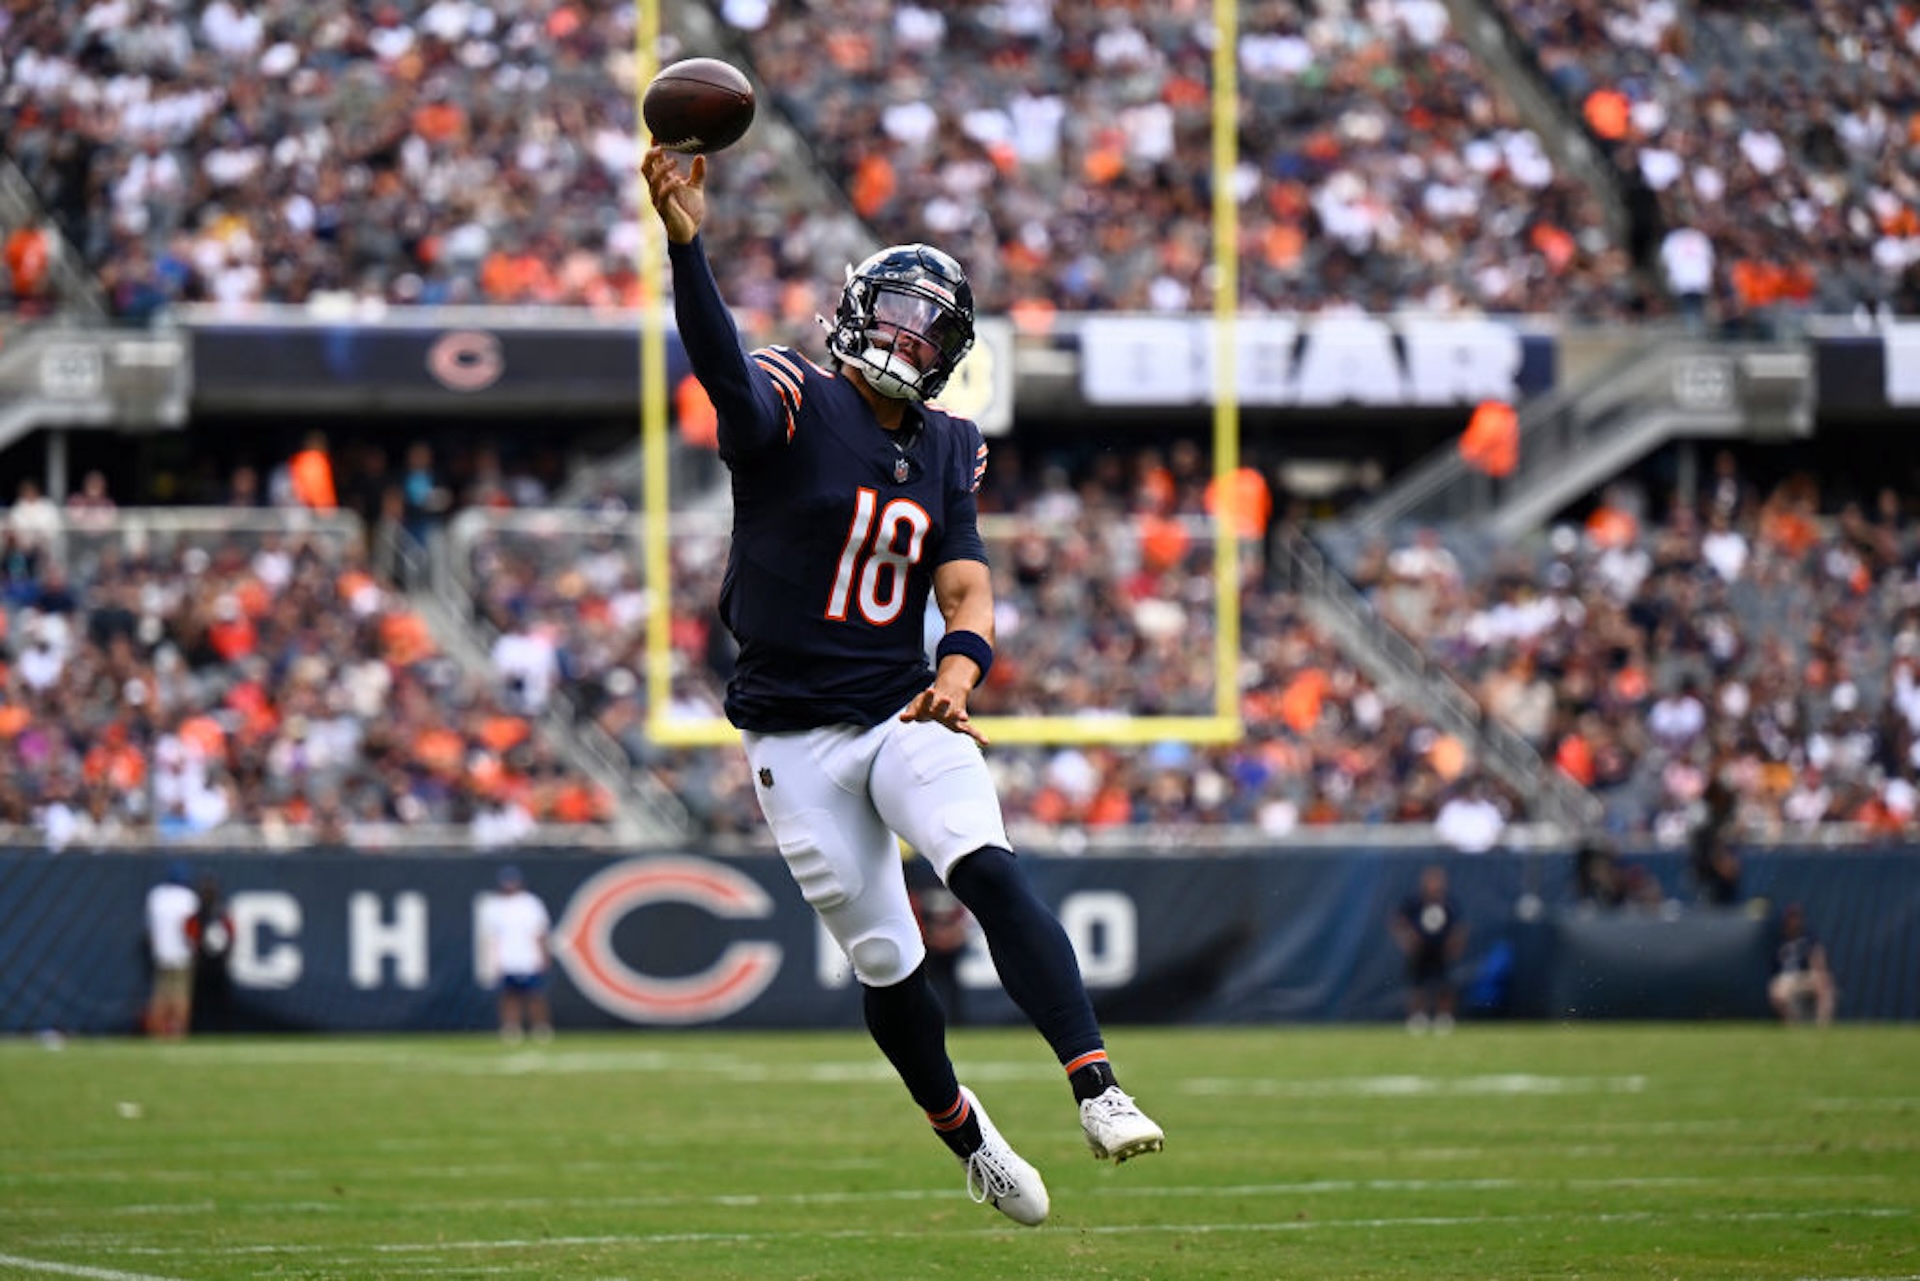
x: 1760, y: 648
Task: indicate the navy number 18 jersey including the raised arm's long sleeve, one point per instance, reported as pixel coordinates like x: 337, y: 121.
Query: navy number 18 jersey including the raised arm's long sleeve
x: 838, y: 525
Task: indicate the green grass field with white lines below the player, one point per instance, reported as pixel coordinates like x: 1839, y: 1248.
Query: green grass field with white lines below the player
x: 1516, y: 1151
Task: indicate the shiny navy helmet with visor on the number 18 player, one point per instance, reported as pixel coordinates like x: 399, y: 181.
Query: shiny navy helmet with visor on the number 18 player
x: 905, y: 322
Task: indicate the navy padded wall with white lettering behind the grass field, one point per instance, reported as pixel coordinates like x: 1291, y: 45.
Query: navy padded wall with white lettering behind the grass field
x: 387, y: 944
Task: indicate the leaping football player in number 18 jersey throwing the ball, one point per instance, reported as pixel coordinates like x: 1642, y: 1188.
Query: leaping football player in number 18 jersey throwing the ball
x: 855, y: 500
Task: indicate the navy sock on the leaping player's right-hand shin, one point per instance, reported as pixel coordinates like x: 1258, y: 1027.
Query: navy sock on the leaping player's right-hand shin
x: 1030, y: 950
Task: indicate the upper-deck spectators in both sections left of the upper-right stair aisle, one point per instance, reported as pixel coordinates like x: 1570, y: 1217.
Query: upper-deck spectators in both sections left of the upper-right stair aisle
x: 433, y: 153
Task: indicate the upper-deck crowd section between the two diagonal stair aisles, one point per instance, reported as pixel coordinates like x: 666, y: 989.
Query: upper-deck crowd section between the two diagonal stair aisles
x: 1065, y: 155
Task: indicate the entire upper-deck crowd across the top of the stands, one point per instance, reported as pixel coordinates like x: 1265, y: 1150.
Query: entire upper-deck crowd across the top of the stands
x: 448, y: 151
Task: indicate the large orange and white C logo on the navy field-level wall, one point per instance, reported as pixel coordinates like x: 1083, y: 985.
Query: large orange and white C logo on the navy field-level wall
x: 731, y: 984
